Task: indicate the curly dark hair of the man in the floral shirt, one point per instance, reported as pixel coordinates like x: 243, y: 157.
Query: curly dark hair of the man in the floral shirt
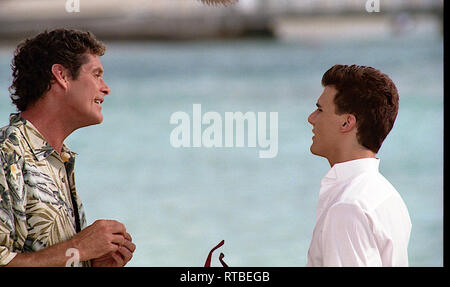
x: 34, y: 58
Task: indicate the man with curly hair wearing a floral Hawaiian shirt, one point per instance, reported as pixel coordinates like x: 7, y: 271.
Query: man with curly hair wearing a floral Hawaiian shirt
x: 57, y: 87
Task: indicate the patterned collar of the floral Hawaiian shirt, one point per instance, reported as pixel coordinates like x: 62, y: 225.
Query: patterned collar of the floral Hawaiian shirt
x: 37, y: 143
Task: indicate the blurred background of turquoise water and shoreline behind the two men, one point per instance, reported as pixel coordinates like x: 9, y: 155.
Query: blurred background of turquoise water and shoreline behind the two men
x: 164, y: 56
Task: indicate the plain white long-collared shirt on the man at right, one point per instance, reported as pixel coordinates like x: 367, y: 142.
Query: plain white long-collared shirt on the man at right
x: 361, y: 219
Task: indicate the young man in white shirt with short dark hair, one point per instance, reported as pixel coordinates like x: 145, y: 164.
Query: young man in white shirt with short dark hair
x: 361, y: 218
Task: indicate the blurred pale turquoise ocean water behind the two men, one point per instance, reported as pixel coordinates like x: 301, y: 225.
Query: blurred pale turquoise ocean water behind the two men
x: 178, y: 203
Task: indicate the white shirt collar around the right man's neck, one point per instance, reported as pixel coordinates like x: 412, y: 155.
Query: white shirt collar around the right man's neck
x: 349, y: 169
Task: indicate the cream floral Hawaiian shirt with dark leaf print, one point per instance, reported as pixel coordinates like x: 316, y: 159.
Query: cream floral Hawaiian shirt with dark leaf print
x: 39, y: 205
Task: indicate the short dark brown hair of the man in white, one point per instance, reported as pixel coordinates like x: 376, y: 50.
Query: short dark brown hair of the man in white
x: 370, y: 96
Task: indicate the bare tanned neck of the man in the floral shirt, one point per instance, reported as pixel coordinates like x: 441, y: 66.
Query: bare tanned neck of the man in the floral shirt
x: 50, y: 126
